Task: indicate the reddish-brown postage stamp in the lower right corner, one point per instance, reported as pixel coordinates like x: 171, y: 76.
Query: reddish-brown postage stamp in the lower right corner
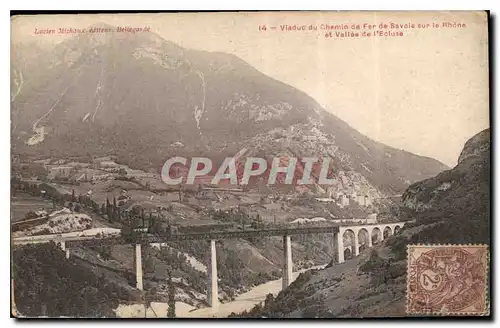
x: 447, y: 280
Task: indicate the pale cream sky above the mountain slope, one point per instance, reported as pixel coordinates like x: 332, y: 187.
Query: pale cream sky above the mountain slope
x: 425, y: 92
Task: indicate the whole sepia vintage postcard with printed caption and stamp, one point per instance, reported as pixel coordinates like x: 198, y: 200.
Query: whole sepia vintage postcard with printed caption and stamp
x: 250, y: 165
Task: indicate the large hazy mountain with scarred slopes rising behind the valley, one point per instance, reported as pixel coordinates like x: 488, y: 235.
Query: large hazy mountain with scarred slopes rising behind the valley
x: 136, y: 95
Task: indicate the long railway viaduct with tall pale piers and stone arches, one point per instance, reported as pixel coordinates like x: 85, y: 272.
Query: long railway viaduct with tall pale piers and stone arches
x: 349, y: 241
